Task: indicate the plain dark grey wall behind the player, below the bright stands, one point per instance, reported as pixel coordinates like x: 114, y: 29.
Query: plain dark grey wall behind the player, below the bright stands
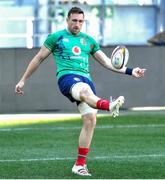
x: 42, y: 93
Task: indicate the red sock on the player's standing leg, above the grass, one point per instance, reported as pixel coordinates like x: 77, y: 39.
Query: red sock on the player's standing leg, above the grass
x: 82, y: 154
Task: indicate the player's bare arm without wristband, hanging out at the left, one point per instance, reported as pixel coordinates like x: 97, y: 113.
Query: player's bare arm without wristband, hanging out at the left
x: 33, y: 65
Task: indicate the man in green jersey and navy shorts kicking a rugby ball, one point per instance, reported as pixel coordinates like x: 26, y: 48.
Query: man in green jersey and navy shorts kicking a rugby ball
x: 71, y: 49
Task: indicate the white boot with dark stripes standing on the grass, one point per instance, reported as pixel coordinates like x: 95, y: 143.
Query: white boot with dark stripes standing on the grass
x: 81, y: 170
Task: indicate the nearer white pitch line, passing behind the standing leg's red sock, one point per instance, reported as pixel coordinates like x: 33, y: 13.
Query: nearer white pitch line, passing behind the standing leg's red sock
x: 91, y: 158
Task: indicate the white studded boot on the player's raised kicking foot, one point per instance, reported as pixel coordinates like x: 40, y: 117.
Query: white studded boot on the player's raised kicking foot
x: 115, y: 105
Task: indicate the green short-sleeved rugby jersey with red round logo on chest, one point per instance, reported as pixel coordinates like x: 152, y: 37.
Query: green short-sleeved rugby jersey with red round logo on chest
x: 71, y: 52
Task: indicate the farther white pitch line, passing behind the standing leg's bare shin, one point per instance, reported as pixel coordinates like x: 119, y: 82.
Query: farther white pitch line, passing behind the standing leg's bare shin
x: 78, y: 127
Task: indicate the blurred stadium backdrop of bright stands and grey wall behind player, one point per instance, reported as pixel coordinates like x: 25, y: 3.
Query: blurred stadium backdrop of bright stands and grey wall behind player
x: 136, y: 23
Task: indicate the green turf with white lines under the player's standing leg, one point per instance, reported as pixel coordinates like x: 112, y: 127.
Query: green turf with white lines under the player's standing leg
x: 127, y: 147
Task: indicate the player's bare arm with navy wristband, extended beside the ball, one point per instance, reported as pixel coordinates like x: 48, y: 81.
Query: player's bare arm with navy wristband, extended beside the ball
x: 105, y: 61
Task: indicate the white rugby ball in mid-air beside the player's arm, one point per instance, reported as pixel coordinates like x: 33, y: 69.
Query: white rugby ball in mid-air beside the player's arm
x: 119, y: 57
